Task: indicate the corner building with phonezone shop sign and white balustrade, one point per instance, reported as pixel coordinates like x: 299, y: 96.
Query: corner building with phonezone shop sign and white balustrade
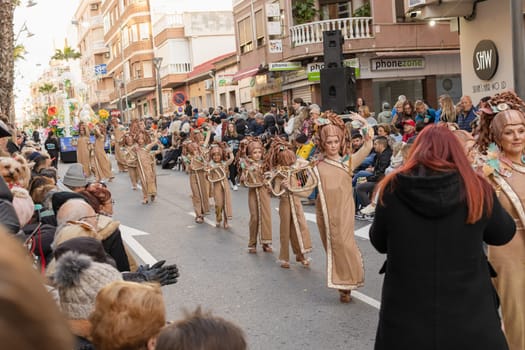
x: 280, y: 48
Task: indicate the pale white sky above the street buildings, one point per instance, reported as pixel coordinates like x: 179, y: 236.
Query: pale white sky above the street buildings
x: 50, y: 21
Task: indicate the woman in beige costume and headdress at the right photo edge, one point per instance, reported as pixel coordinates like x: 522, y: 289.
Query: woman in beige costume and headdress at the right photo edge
x: 505, y: 168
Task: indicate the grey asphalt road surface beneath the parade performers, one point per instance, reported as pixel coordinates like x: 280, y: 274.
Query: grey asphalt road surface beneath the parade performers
x: 277, y: 308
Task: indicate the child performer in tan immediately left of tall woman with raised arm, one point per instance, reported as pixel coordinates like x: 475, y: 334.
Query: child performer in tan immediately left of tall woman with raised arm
x: 293, y: 228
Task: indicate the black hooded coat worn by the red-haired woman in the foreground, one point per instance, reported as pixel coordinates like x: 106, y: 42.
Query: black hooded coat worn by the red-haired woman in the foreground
x: 437, y: 292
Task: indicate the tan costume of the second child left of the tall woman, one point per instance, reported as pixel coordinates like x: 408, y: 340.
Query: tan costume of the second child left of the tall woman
x: 258, y: 203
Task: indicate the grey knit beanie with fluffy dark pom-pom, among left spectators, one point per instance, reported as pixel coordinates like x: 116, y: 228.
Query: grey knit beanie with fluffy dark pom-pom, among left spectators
x: 78, y: 280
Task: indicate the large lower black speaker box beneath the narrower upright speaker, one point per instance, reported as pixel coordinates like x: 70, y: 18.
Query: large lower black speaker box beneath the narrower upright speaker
x: 338, y: 89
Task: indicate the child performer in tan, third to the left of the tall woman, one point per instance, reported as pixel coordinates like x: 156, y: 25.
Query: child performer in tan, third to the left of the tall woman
x: 217, y: 175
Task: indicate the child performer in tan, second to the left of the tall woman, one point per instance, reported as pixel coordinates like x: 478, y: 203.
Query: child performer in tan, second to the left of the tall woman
x: 252, y: 166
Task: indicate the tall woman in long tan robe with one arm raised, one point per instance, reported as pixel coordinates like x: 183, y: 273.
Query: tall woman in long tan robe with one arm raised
x: 335, y: 204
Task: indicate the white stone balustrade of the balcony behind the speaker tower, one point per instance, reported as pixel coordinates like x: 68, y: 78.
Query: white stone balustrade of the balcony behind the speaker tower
x: 312, y: 33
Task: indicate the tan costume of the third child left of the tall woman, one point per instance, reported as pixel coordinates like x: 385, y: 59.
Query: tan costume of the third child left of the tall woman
x: 221, y: 190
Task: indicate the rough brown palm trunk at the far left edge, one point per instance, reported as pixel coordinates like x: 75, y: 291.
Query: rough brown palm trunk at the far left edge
x: 7, y: 9
